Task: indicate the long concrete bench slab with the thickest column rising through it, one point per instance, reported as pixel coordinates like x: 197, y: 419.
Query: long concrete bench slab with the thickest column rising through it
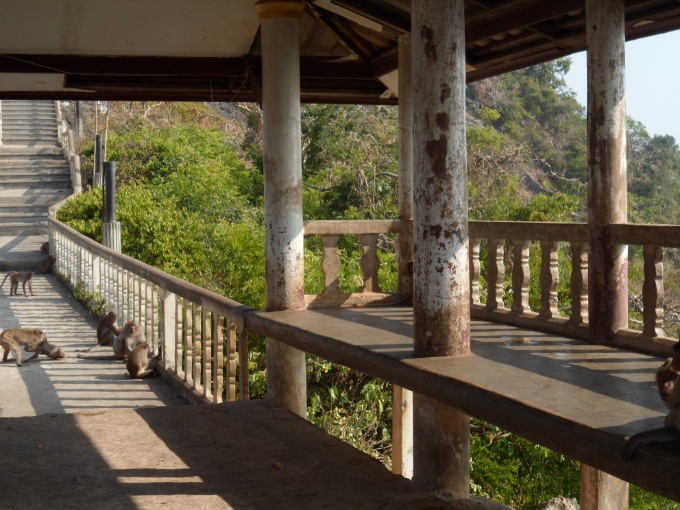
x: 579, y: 399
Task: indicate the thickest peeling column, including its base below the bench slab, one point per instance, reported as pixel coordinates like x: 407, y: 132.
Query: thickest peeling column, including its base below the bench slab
x: 441, y: 305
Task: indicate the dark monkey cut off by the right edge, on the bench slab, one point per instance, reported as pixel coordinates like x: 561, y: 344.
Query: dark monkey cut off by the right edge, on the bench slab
x: 668, y: 386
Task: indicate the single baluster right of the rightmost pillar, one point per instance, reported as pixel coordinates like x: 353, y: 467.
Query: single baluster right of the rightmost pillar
x: 653, y: 292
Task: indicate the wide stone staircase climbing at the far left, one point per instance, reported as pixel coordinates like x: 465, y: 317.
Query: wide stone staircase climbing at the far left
x: 34, y: 171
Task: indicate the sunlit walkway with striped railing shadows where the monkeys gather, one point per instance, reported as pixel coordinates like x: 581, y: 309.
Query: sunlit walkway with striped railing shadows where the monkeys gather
x: 69, y: 385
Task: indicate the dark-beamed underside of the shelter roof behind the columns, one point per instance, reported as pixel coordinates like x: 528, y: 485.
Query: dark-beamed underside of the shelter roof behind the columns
x: 210, y: 50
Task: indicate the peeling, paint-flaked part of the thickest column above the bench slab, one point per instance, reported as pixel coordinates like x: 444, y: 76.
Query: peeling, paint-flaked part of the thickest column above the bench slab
x: 441, y: 255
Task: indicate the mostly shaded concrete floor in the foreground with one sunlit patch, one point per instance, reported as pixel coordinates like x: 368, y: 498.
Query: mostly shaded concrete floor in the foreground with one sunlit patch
x: 242, y: 455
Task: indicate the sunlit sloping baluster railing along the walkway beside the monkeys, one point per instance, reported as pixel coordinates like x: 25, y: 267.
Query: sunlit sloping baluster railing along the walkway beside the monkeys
x: 197, y: 331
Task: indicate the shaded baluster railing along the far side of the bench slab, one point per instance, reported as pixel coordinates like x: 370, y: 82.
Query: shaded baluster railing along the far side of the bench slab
x: 506, y: 299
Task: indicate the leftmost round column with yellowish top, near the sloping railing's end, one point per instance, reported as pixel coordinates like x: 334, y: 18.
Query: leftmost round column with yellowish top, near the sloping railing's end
x: 286, y: 374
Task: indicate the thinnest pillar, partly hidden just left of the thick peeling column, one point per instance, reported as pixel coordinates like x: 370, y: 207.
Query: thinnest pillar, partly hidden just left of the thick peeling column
x: 402, y: 399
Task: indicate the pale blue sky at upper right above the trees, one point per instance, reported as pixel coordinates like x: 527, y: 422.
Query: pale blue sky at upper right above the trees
x: 652, y: 85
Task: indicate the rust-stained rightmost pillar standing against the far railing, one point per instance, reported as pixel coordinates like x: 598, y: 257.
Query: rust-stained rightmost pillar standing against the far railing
x: 607, y: 200
